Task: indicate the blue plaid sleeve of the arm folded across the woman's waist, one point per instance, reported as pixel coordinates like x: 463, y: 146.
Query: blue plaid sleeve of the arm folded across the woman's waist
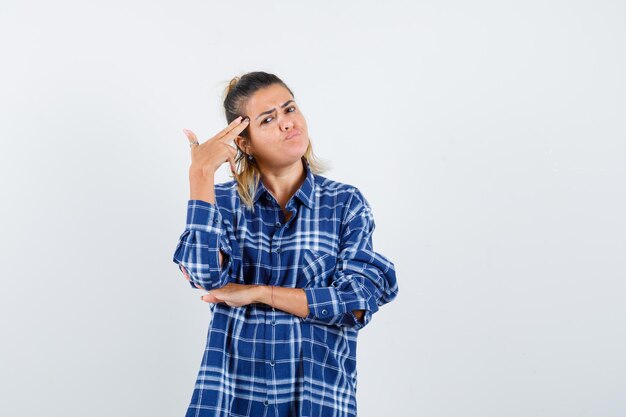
x: 363, y: 279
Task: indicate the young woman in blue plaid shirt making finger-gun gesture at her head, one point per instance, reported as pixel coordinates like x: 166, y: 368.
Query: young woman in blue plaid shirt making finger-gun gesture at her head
x: 287, y: 259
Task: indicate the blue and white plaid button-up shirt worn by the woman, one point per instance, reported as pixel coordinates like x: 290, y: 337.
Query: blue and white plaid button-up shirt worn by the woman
x: 264, y: 362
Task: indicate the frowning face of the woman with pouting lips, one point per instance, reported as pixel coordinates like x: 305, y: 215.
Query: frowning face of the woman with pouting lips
x: 277, y: 130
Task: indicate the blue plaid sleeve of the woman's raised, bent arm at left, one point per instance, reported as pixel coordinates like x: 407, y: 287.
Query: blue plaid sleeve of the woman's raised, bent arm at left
x: 205, y: 234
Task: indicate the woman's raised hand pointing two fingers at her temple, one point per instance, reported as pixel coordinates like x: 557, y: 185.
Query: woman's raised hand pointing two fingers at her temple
x: 207, y: 157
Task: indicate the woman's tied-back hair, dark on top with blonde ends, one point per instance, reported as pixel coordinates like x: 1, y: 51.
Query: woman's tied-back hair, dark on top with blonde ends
x: 236, y: 95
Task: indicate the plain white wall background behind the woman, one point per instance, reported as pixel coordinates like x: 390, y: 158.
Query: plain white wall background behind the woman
x: 488, y: 137
